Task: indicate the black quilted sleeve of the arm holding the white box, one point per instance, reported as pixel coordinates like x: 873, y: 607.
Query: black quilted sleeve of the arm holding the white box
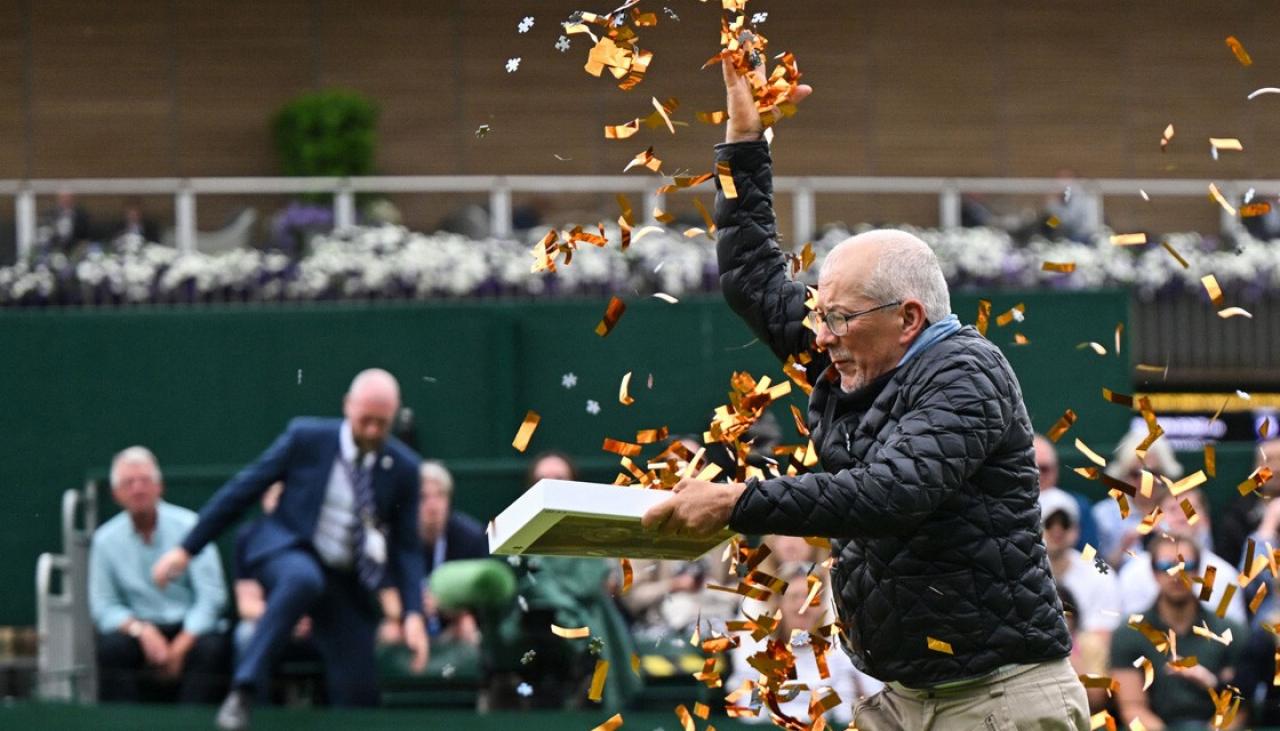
x: 958, y: 421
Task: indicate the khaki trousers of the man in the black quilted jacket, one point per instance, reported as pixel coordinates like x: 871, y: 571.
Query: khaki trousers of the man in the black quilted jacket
x: 1045, y: 697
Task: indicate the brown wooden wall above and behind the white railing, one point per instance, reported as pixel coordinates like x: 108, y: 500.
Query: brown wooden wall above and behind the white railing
x: 922, y: 88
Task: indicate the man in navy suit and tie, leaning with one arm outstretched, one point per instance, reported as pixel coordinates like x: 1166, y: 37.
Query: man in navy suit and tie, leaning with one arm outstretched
x: 348, y: 518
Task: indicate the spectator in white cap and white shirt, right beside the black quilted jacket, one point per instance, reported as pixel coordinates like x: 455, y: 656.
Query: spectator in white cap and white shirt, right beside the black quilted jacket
x: 1095, y: 596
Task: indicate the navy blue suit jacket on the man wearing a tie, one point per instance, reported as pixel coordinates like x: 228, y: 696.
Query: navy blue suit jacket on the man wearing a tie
x: 303, y: 458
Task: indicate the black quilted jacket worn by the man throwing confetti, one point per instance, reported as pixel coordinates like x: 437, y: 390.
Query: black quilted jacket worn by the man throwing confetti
x: 930, y: 486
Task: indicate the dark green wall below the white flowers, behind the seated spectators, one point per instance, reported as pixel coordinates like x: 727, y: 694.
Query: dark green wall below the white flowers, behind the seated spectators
x: 209, y: 389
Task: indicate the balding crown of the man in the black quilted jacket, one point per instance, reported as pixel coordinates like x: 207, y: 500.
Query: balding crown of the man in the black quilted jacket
x: 889, y: 266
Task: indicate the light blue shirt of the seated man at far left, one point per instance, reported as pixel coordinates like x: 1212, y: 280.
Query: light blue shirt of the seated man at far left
x: 120, y: 577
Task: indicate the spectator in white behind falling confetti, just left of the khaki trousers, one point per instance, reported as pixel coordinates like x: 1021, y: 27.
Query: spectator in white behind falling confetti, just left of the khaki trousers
x: 798, y: 622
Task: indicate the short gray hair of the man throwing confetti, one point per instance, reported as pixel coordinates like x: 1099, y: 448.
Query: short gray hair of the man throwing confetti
x: 906, y: 269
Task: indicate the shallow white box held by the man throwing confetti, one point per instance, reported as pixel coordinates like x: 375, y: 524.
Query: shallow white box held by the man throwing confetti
x: 561, y: 518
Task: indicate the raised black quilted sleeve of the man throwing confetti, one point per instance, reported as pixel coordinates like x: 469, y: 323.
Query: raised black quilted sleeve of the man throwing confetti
x: 753, y: 269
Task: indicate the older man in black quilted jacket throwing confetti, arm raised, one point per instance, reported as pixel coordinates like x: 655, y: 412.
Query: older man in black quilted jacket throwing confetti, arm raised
x: 930, y: 482
